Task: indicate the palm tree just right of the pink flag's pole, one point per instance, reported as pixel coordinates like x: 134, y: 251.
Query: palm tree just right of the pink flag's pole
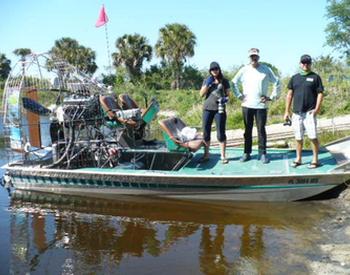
x: 132, y: 51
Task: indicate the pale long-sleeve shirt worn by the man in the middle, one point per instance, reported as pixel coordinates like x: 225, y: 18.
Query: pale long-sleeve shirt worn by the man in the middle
x: 255, y: 84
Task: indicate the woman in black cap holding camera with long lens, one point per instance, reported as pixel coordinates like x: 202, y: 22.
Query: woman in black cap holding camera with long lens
x: 216, y: 90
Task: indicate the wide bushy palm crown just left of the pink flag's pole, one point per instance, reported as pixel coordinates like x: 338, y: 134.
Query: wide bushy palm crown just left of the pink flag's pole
x: 77, y: 55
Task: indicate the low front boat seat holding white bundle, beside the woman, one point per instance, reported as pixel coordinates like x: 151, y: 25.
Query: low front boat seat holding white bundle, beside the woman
x: 173, y: 136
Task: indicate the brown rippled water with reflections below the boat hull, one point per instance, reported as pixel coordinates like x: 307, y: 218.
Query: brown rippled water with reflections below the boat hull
x: 60, y: 234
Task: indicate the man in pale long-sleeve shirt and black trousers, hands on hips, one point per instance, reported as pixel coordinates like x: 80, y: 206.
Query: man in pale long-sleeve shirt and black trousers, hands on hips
x: 255, y: 79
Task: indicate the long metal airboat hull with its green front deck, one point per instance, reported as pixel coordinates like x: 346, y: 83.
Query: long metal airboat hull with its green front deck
x: 236, y: 181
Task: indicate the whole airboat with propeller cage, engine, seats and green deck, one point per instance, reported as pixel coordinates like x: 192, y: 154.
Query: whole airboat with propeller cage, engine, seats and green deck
x: 68, y: 134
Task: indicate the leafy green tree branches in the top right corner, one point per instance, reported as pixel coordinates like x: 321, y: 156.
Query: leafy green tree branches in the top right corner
x: 338, y: 30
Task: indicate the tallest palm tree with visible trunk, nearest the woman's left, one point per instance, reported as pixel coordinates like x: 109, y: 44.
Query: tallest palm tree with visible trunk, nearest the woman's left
x: 175, y: 44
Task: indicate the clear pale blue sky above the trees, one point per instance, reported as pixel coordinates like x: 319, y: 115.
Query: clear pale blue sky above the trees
x: 225, y: 30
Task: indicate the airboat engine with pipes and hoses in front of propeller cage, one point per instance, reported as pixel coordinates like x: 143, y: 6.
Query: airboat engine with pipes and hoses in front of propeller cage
x: 80, y: 121
